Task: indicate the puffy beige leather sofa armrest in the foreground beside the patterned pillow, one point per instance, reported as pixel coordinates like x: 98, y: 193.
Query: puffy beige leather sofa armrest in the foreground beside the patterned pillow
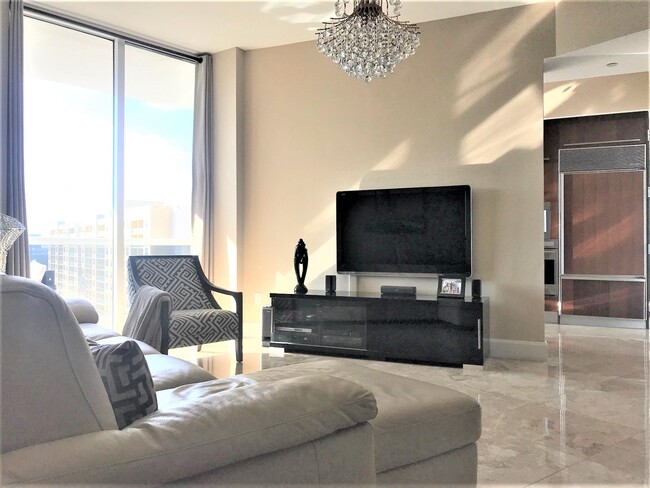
x: 197, y: 429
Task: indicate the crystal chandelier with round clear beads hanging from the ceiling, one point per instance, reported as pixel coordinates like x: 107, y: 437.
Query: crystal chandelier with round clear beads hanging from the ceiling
x: 369, y: 42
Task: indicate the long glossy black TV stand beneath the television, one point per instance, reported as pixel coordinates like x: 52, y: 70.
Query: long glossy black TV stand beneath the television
x: 418, y: 328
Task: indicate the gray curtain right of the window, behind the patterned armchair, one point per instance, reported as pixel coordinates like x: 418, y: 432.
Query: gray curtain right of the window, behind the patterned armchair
x: 202, y: 160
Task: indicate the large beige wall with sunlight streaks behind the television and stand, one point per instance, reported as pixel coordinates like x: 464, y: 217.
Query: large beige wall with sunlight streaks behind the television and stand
x: 467, y: 108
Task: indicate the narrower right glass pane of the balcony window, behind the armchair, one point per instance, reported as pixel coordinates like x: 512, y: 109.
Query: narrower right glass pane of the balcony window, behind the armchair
x: 159, y: 93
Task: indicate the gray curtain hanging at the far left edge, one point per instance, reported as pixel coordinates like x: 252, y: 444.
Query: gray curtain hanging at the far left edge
x: 14, y: 204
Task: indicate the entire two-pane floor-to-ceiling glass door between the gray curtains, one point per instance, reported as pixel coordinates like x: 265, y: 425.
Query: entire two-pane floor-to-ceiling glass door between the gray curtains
x: 108, y: 145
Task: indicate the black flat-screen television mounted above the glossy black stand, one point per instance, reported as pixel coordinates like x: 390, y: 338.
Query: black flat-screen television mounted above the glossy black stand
x: 424, y: 230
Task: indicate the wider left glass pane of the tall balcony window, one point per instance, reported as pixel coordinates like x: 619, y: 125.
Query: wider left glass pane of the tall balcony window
x: 68, y: 100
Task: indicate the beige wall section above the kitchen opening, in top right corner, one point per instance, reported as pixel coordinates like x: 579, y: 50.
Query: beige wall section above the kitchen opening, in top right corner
x: 582, y: 23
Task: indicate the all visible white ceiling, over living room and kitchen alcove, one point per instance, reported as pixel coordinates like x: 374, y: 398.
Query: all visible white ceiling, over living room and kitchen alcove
x: 215, y: 25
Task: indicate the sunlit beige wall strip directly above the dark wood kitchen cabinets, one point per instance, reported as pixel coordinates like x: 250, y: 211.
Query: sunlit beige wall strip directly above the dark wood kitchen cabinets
x: 592, y: 96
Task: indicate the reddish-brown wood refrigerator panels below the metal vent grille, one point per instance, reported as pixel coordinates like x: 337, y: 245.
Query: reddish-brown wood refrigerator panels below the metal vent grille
x: 604, y: 244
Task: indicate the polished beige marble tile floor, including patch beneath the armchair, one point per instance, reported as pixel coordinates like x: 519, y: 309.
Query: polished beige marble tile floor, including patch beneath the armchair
x: 582, y: 418
